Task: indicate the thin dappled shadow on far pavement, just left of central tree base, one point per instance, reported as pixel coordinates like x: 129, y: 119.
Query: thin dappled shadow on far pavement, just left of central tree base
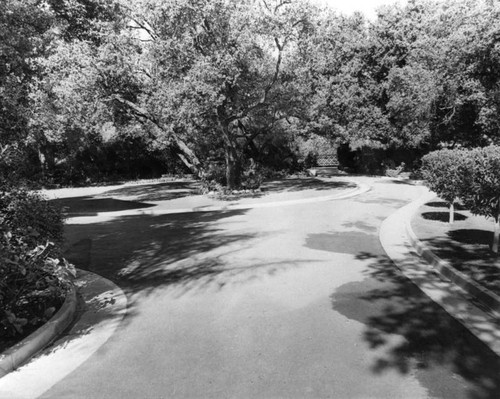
x: 156, y: 192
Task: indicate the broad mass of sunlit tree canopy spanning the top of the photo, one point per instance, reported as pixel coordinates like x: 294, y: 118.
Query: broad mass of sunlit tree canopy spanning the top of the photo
x: 220, y: 81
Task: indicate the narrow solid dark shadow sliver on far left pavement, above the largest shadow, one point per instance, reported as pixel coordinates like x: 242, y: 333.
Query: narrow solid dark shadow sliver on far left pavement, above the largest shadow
x: 90, y: 206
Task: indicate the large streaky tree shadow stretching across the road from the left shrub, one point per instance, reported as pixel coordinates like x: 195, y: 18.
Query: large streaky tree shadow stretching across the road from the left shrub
x: 182, y: 251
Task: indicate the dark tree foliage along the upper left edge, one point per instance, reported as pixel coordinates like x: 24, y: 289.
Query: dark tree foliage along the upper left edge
x: 24, y: 36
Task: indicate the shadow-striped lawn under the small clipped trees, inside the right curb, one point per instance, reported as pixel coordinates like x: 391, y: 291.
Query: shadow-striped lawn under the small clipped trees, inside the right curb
x: 465, y: 244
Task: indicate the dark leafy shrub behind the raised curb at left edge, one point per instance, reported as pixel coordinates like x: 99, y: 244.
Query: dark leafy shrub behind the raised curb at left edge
x: 33, y: 278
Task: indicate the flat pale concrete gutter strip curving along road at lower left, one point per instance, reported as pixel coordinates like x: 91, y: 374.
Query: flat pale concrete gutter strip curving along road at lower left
x: 104, y: 310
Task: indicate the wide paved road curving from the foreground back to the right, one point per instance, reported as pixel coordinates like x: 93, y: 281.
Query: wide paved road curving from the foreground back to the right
x: 285, y: 302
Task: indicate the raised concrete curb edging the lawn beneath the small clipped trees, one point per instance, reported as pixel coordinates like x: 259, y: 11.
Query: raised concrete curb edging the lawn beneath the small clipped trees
x: 482, y: 294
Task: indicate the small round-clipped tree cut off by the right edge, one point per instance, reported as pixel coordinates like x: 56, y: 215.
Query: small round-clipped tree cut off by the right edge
x: 481, y: 188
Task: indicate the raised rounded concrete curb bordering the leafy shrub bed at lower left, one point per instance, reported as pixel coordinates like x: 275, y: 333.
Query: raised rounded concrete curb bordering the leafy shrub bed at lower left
x: 15, y: 356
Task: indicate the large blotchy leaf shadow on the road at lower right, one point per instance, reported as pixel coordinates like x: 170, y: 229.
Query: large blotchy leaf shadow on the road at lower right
x: 430, y: 336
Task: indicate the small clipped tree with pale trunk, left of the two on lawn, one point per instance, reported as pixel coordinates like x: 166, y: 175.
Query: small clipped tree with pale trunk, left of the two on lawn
x: 443, y: 171
